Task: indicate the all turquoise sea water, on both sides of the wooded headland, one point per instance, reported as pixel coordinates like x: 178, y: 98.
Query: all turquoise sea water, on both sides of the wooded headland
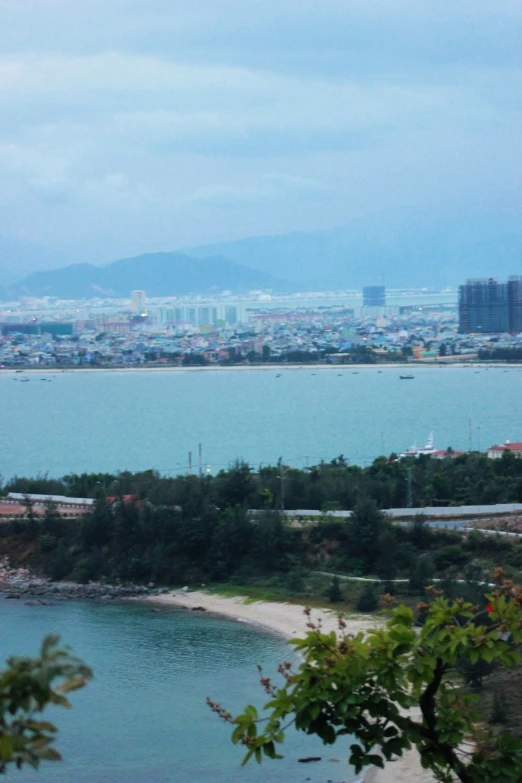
x: 144, y: 718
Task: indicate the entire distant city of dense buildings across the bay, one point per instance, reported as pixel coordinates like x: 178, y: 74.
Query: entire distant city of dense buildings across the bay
x: 49, y: 332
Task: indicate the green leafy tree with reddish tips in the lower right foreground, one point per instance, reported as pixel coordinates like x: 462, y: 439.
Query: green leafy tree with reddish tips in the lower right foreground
x: 396, y: 687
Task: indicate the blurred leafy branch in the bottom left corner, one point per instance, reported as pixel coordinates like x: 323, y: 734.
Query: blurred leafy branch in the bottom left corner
x: 27, y: 687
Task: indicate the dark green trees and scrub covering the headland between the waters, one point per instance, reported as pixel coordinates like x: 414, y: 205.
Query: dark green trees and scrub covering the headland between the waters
x: 228, y: 527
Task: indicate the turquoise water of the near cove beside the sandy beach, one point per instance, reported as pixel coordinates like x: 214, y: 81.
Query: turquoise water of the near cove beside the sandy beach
x: 144, y: 717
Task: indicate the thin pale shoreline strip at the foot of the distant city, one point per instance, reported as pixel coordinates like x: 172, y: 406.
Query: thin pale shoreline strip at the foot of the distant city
x: 354, y: 368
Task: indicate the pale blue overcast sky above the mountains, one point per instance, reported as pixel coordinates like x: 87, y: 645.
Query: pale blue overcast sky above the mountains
x: 130, y: 126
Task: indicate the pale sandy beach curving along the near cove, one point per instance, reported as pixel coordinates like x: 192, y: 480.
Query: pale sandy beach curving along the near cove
x: 289, y: 621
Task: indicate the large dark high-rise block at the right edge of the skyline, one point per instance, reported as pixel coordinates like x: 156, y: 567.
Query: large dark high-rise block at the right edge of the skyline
x: 490, y: 307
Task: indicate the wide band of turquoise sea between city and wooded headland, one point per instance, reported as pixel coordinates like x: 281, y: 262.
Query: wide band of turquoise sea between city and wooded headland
x: 109, y: 421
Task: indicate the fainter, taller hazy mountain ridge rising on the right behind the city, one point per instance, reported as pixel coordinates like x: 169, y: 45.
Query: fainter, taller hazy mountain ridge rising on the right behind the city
x: 410, y: 248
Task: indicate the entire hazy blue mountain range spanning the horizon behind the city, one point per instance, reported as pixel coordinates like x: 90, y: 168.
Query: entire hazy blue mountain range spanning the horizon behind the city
x: 407, y: 248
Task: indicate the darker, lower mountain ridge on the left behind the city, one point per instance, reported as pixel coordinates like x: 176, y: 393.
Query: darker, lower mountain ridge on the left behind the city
x: 158, y: 274
